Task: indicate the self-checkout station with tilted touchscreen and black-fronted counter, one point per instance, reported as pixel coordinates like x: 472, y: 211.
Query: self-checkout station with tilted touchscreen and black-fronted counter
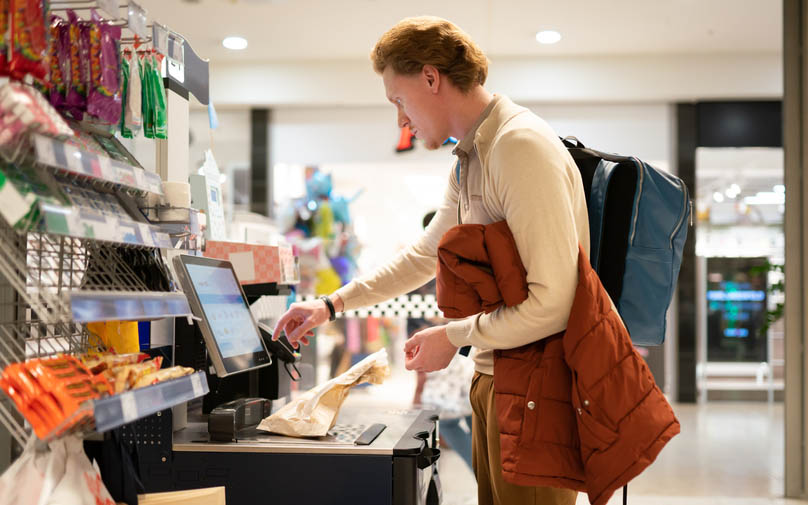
x: 370, y: 456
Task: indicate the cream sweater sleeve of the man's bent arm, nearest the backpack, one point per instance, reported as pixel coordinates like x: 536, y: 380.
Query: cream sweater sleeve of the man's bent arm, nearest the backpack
x: 534, y: 188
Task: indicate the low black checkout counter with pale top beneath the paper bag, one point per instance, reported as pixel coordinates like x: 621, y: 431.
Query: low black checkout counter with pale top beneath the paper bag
x: 398, y: 468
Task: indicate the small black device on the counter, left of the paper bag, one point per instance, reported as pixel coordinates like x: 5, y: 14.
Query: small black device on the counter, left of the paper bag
x: 237, y: 419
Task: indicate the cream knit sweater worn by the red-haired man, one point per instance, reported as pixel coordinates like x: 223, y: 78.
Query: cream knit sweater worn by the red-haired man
x: 528, y: 178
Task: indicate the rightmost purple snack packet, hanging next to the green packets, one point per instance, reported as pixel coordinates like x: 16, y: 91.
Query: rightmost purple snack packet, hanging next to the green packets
x: 104, y: 99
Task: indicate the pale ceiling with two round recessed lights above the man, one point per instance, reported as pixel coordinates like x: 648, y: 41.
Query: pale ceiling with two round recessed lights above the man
x: 282, y: 30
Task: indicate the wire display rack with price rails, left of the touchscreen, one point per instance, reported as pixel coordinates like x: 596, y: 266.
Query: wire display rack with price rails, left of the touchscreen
x: 76, y: 246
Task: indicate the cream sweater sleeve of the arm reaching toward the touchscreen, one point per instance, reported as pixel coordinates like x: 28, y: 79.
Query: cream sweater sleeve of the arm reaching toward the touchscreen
x: 411, y: 268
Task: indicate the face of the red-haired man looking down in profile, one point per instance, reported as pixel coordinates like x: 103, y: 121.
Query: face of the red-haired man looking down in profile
x: 417, y: 105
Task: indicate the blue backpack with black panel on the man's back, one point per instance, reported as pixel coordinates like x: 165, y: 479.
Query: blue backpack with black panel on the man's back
x: 638, y: 219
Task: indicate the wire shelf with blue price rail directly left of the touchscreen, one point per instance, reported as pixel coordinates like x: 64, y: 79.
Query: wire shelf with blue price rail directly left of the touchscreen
x: 59, y: 277
